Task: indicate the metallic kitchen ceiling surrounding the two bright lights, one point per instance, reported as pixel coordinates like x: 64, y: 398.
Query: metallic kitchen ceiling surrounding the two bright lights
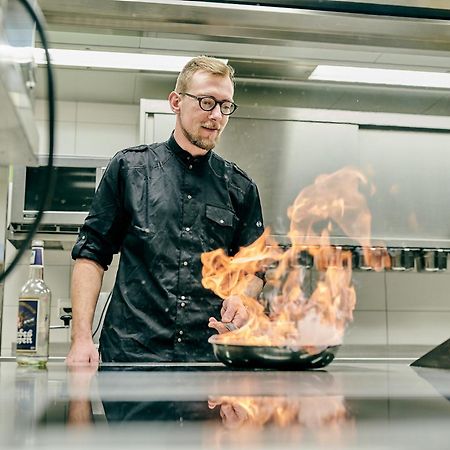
x: 273, y: 49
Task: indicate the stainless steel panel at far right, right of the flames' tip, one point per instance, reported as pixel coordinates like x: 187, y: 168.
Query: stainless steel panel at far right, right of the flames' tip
x: 410, y: 170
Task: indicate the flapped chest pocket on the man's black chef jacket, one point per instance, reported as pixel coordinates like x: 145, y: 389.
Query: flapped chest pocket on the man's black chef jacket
x: 220, y: 226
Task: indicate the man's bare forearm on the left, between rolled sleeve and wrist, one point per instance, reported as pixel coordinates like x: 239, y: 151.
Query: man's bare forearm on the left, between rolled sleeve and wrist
x: 87, y: 279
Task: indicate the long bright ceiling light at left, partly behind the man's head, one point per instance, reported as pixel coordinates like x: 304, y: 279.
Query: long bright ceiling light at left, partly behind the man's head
x: 113, y: 60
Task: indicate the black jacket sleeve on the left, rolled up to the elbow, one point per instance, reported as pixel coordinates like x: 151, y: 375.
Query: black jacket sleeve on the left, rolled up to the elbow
x: 104, y: 229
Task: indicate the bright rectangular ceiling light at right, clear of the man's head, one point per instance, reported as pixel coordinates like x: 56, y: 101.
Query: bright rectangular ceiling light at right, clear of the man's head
x: 381, y: 76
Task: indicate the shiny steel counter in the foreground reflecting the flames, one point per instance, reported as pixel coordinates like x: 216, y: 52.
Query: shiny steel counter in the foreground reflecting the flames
x: 351, y: 404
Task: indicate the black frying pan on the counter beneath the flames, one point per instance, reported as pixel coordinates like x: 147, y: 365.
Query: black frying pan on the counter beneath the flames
x: 272, y: 357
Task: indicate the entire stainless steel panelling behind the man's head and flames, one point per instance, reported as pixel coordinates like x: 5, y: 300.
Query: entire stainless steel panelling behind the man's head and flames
x: 284, y: 153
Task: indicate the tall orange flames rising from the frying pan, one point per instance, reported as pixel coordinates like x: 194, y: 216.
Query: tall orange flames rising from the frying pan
x: 297, y: 318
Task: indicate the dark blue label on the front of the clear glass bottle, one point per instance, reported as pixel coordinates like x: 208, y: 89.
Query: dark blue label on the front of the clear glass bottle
x: 27, y: 325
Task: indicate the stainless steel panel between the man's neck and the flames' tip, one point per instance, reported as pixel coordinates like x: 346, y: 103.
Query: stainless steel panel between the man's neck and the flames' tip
x: 283, y: 157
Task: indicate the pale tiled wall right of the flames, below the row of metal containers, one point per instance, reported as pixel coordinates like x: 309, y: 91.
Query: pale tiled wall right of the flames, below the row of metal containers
x: 396, y: 308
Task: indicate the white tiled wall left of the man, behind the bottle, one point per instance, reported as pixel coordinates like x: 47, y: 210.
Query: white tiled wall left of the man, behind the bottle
x: 98, y: 129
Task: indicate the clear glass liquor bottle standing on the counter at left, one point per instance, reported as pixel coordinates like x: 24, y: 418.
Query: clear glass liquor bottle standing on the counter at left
x: 33, y: 321
